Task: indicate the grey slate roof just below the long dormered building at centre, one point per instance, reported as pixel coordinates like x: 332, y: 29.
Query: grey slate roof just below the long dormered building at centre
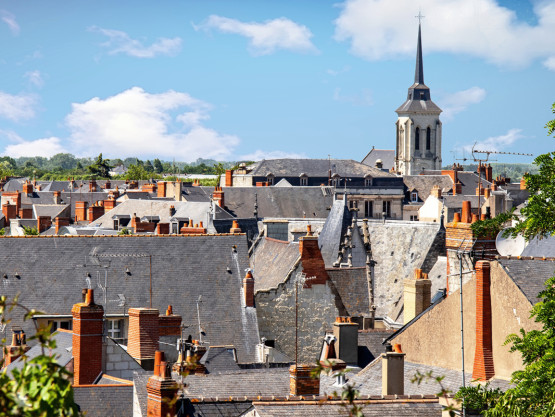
x: 279, y: 202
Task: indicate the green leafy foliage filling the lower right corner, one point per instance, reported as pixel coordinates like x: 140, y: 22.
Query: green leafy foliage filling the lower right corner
x: 534, y: 387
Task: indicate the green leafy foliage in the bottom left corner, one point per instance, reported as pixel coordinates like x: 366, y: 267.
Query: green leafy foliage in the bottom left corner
x: 41, y: 387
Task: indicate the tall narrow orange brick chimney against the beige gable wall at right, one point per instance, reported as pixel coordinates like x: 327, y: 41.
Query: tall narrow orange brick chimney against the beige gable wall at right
x: 483, y: 356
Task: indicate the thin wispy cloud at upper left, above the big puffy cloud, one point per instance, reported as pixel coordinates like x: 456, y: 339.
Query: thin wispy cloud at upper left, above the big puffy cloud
x: 120, y: 42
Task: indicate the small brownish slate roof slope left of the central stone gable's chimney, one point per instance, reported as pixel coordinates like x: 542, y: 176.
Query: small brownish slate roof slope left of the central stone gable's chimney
x: 272, y: 261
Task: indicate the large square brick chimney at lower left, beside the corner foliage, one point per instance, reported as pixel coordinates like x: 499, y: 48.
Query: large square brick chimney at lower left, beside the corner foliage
x: 88, y: 328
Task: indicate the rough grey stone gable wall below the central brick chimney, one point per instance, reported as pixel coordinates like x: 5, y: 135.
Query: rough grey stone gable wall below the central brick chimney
x: 317, y: 312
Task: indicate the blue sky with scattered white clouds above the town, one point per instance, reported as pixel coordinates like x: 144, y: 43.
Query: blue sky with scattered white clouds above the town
x: 253, y: 79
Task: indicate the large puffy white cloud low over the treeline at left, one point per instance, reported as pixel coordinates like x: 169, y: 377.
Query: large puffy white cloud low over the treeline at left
x: 135, y: 122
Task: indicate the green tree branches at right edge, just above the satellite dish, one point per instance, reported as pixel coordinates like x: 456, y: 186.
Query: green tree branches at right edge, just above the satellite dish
x: 538, y: 216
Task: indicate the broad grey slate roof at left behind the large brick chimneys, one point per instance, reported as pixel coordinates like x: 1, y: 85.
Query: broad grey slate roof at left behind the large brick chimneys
x: 53, y: 270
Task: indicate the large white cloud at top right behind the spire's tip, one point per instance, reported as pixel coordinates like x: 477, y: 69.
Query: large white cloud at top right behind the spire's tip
x: 377, y: 30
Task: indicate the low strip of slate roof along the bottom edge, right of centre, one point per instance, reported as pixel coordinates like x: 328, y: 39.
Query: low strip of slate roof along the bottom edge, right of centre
x: 403, y: 408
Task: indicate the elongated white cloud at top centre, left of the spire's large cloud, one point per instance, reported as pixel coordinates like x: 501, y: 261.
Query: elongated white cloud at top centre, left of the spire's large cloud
x: 266, y: 38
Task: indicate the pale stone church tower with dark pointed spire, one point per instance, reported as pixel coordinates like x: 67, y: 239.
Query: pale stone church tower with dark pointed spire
x: 418, y: 145
